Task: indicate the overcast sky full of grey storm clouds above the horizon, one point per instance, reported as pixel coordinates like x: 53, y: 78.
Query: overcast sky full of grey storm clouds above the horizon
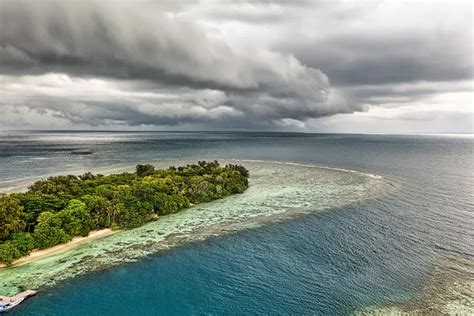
x: 310, y: 66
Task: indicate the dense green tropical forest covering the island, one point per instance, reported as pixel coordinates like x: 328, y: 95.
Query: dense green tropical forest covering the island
x: 55, y: 210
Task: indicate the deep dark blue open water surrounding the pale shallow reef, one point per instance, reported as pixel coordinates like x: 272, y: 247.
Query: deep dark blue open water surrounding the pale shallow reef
x: 328, y: 263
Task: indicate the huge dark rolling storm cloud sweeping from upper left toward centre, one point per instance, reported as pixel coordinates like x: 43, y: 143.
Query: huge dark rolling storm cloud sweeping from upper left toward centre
x: 146, y: 42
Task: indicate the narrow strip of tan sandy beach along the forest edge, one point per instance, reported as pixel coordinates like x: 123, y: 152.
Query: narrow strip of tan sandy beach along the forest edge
x: 76, y: 241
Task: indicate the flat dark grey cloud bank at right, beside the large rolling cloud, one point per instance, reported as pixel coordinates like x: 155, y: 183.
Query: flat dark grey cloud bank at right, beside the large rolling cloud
x: 353, y: 59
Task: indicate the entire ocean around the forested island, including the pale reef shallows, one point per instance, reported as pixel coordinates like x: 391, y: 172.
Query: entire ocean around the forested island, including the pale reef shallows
x: 342, y: 253
